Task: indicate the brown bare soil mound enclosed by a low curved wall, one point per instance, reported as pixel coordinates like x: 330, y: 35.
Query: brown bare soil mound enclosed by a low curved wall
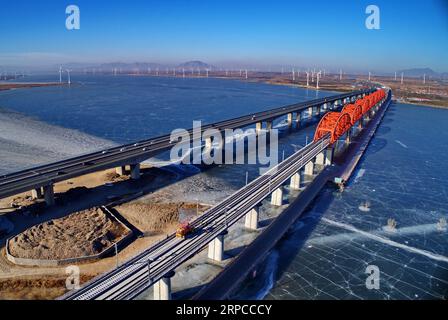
x: 80, y: 234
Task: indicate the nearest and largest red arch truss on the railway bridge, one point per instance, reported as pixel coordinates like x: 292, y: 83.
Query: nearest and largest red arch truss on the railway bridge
x: 335, y: 123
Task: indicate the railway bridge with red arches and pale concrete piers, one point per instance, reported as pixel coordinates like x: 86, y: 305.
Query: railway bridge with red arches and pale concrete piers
x: 155, y: 266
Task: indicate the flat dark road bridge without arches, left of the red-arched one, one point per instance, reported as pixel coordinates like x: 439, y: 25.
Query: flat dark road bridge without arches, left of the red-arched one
x: 40, y: 180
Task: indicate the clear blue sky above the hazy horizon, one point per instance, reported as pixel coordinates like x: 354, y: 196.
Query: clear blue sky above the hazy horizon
x: 328, y: 34
